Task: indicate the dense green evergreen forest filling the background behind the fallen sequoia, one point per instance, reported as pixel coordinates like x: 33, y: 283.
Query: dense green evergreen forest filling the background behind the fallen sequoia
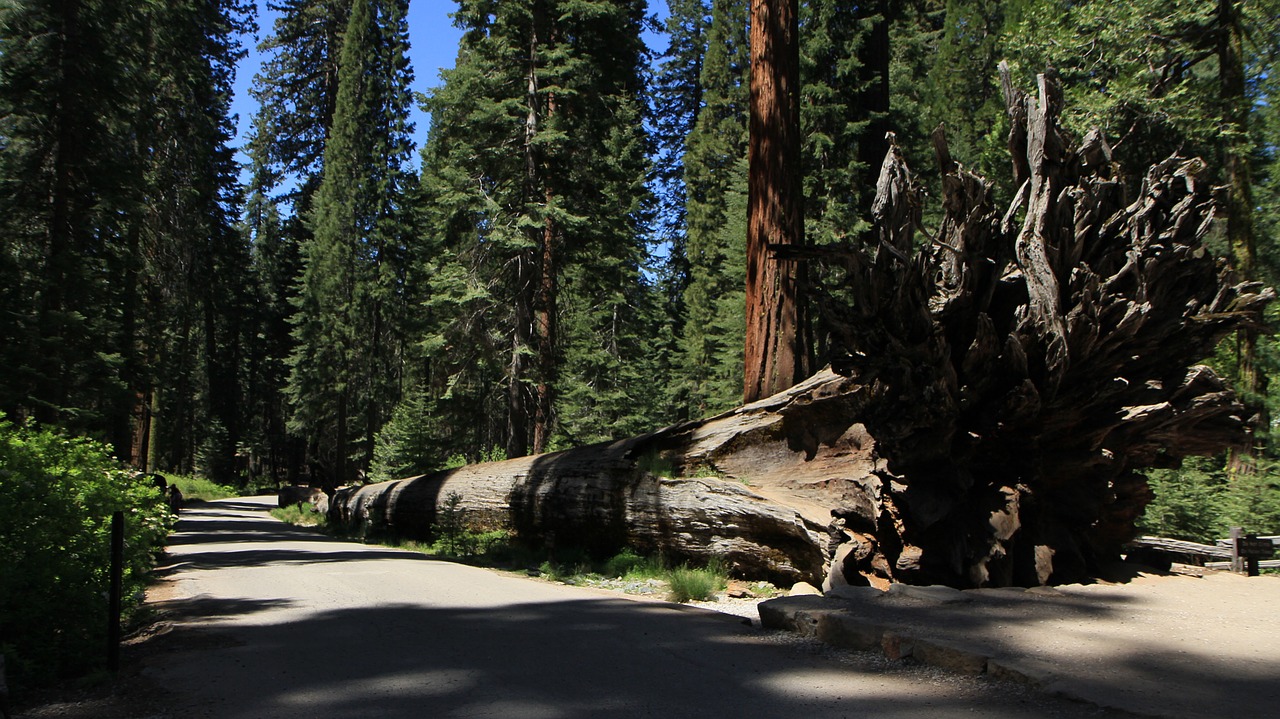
x: 563, y: 262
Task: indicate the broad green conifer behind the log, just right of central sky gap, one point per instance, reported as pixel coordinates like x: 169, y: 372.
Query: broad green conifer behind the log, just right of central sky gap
x: 540, y: 250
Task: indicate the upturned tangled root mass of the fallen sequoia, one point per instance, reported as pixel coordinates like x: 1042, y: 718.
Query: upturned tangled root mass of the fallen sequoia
x: 1027, y: 363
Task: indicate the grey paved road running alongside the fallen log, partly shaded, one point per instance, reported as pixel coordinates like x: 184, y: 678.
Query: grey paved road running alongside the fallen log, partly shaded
x: 278, y: 622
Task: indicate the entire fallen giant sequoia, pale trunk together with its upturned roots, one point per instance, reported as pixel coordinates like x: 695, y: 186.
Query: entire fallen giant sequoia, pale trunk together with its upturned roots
x: 1016, y: 372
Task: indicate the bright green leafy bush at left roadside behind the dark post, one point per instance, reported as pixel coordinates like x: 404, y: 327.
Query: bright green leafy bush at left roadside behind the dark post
x: 57, y: 500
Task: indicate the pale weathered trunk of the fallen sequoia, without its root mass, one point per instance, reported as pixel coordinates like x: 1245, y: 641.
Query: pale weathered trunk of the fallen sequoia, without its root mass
x: 765, y: 460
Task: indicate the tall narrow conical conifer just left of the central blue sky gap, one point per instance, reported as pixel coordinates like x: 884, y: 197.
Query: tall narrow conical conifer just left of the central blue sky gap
x: 350, y: 327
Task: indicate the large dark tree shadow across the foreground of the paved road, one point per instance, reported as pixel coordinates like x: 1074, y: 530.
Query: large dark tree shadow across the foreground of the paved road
x: 572, y: 660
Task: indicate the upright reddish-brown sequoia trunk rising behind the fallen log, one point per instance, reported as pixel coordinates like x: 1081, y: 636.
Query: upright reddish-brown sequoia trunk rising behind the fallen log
x: 776, y: 349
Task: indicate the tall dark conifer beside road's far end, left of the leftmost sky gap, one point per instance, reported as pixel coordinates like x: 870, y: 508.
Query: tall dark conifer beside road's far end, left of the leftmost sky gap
x: 199, y: 308
